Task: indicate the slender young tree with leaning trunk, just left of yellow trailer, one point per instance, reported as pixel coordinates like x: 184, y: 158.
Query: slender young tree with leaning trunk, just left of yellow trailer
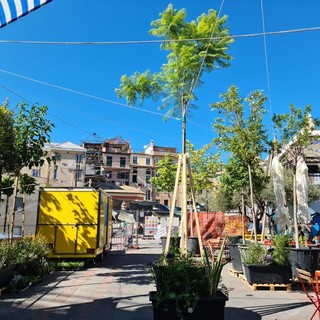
x: 32, y: 131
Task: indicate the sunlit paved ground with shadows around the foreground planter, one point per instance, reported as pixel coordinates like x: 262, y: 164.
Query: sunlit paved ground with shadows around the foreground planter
x: 118, y: 288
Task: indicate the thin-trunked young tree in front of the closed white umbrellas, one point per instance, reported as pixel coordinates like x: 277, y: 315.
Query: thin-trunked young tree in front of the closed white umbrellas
x: 295, y: 132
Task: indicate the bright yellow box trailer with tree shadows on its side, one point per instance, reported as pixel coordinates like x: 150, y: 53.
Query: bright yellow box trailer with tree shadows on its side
x: 77, y: 222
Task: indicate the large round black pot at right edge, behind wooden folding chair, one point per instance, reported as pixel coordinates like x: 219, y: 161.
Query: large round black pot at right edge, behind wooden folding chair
x: 304, y: 258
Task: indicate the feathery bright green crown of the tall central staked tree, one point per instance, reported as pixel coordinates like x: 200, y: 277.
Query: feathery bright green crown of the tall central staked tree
x: 194, y: 47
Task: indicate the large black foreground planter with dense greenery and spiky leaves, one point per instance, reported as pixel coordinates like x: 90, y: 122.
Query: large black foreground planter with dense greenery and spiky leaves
x: 188, y: 288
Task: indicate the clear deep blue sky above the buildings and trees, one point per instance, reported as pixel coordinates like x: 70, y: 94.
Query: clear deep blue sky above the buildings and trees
x: 89, y: 73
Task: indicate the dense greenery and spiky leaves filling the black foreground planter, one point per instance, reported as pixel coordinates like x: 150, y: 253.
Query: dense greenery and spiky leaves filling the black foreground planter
x: 181, y: 280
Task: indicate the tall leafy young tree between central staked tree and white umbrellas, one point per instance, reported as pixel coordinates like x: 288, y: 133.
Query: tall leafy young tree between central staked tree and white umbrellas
x: 245, y: 138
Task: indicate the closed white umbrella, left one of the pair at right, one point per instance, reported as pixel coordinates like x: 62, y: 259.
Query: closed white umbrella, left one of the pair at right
x: 282, y: 219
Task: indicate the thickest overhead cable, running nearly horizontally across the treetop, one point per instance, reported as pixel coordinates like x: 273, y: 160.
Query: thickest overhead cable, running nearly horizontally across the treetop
x: 135, y: 42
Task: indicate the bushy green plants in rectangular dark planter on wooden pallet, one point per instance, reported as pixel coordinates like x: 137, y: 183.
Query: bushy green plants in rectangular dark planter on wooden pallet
x: 268, y: 264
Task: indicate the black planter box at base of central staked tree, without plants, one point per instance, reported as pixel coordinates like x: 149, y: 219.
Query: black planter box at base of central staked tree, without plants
x: 205, y: 306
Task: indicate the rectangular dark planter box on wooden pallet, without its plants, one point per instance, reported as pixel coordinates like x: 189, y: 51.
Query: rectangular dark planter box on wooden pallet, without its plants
x: 267, y: 274
